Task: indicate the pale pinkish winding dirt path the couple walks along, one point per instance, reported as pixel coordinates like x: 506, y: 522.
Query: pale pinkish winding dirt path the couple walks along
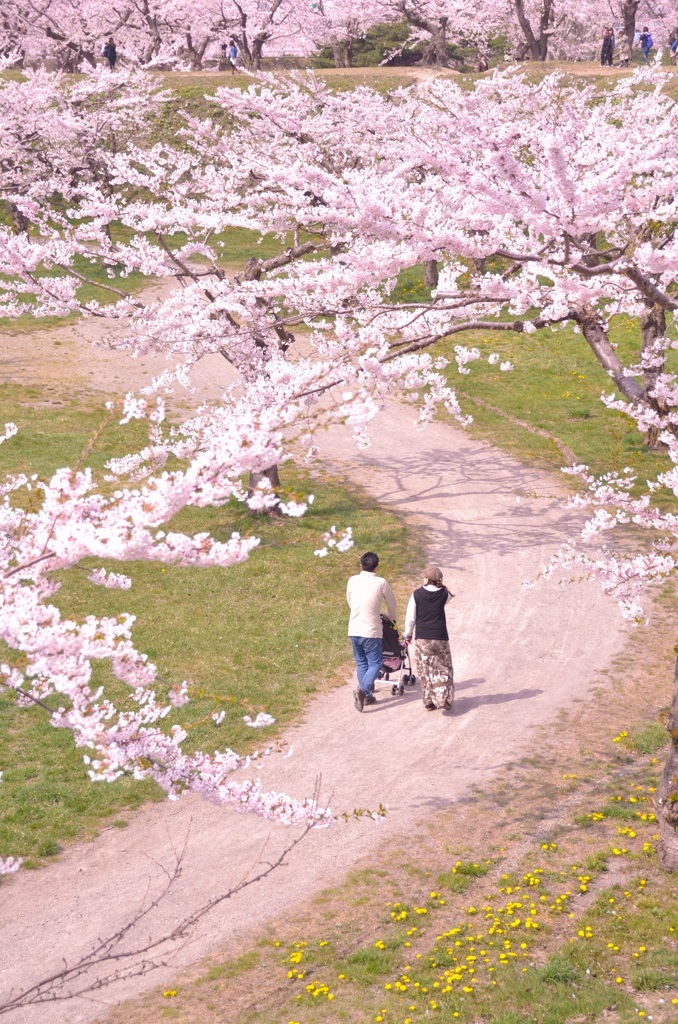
x: 520, y: 656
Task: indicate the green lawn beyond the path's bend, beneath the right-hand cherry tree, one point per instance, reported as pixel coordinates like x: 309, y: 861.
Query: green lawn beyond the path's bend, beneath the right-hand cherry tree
x: 556, y: 389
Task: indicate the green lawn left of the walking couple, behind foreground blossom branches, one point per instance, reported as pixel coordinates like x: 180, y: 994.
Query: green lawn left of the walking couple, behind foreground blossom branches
x: 263, y: 635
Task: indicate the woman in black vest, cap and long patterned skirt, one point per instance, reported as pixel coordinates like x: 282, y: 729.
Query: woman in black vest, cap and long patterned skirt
x: 426, y: 619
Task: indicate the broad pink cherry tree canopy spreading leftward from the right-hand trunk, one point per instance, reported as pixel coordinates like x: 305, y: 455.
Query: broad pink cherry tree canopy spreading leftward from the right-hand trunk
x: 530, y: 197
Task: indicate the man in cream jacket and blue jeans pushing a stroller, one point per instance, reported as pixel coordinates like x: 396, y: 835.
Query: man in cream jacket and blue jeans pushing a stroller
x: 366, y: 593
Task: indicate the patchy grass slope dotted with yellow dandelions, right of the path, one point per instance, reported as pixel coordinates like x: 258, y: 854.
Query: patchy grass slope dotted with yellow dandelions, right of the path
x: 537, y: 902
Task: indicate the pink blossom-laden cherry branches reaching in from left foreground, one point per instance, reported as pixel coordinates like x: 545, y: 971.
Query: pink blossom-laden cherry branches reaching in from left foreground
x: 73, y: 517
